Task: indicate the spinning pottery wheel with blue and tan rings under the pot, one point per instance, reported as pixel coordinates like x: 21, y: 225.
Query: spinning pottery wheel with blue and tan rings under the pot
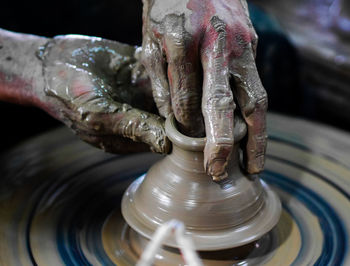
x: 60, y: 201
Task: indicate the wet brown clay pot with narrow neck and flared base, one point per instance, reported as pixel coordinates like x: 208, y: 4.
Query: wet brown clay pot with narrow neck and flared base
x: 222, y: 215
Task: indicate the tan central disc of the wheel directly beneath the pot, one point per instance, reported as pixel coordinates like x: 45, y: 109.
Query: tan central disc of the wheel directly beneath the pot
x: 124, y: 246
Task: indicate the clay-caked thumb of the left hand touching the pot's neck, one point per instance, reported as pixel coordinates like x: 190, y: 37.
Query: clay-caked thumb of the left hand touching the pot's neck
x: 123, y: 120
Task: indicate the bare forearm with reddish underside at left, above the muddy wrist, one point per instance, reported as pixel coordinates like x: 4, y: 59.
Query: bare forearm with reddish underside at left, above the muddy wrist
x: 21, y: 78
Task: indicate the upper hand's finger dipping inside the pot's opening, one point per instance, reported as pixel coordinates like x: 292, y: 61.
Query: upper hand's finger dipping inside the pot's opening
x: 184, y: 80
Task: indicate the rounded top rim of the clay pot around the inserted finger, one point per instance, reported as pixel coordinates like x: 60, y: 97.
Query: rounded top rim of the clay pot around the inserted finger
x: 197, y: 144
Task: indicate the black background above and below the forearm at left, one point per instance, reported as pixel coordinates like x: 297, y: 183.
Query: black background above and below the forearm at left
x: 112, y: 19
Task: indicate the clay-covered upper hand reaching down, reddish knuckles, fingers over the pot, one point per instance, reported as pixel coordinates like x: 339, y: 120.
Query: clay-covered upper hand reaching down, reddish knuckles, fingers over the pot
x: 200, y: 56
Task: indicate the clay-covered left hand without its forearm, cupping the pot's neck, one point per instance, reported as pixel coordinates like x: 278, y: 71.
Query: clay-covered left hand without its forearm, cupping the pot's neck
x: 93, y: 87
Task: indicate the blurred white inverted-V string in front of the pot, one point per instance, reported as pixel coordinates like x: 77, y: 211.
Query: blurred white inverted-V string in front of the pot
x: 177, y: 229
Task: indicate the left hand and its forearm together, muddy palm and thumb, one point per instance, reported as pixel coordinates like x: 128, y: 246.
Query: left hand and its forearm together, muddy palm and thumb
x: 92, y: 85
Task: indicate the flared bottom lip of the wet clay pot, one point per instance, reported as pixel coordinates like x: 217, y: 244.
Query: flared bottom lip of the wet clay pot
x: 245, y: 233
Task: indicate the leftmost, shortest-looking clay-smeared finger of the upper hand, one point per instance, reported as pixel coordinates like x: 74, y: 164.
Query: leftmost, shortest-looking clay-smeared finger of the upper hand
x: 155, y: 65
